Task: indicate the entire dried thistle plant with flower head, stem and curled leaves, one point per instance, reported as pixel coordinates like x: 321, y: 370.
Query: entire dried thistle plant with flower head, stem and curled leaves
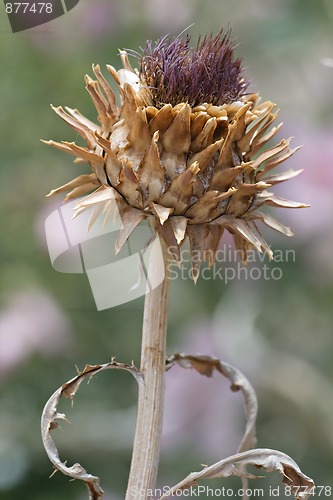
x: 186, y: 151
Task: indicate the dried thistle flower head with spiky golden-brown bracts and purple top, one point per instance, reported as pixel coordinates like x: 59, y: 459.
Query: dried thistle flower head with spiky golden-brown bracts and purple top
x: 185, y: 150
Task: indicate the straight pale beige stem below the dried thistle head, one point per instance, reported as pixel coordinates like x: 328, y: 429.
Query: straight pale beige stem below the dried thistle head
x: 147, y: 439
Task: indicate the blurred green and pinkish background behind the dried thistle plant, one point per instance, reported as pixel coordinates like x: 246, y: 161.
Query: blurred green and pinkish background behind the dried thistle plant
x: 278, y: 332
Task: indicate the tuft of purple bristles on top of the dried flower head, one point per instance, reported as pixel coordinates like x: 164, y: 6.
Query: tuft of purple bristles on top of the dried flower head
x: 176, y: 72
